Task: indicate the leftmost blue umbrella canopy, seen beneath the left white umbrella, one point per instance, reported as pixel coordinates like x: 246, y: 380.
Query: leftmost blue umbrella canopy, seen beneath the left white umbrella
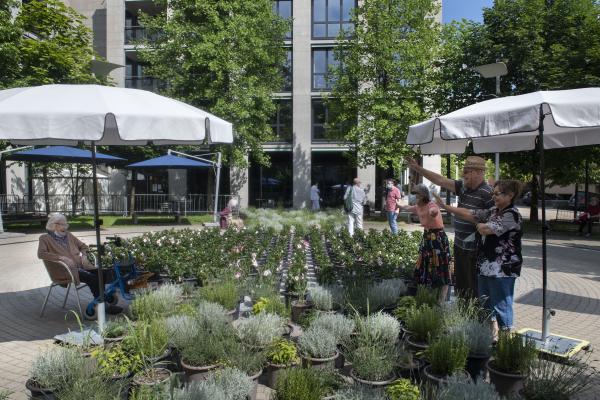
x: 63, y: 154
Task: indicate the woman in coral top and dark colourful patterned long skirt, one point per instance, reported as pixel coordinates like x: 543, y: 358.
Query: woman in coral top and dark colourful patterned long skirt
x: 432, y: 268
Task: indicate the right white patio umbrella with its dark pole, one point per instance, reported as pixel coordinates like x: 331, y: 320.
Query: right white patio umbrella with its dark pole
x: 552, y: 119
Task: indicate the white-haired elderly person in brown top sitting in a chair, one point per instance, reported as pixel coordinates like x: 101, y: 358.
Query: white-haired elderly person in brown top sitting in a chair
x: 60, y: 245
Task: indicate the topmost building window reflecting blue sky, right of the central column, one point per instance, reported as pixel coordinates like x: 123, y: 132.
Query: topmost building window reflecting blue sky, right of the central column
x: 329, y: 17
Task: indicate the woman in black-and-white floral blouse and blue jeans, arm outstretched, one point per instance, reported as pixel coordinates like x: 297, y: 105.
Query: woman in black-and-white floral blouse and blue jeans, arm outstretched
x: 499, y: 257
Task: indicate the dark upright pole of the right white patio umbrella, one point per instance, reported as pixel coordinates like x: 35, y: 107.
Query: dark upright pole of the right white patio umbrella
x: 546, y: 312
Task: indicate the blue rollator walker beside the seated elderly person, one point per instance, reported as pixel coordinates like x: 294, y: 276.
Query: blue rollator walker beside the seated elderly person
x: 124, y: 271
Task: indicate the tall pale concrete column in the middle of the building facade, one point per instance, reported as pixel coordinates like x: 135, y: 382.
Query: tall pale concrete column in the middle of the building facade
x: 301, y: 102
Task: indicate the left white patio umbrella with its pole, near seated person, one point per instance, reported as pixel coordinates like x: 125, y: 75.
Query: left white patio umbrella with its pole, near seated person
x: 101, y: 115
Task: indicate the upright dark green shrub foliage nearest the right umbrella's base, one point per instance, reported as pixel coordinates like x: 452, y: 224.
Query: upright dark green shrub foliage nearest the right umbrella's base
x: 514, y: 353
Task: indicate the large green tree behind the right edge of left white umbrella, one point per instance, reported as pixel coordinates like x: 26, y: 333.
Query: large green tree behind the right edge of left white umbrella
x: 224, y: 56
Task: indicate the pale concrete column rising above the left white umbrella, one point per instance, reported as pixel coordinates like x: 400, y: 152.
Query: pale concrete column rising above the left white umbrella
x: 115, y: 38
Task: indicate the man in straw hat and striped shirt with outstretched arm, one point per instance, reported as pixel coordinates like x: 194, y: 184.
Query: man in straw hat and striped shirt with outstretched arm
x: 473, y: 193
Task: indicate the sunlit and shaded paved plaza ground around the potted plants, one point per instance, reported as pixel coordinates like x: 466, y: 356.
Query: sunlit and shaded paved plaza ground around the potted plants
x: 573, y: 291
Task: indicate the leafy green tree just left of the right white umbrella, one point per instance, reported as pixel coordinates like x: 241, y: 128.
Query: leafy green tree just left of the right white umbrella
x: 379, y: 85
